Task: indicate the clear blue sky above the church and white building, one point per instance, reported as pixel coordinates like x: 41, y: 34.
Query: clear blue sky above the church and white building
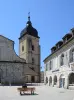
x: 52, y: 19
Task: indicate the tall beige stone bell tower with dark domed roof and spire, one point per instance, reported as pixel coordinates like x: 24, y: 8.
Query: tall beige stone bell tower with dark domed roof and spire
x: 29, y: 49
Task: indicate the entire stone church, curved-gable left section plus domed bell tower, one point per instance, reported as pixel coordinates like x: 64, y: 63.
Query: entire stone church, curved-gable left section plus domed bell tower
x: 16, y: 69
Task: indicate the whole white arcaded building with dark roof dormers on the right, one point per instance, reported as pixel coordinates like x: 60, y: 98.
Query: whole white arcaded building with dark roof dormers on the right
x: 59, y: 65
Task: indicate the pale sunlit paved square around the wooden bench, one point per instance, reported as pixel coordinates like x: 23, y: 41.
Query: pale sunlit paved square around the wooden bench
x: 42, y: 93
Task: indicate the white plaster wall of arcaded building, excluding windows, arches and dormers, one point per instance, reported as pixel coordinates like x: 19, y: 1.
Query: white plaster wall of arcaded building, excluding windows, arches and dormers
x: 65, y: 69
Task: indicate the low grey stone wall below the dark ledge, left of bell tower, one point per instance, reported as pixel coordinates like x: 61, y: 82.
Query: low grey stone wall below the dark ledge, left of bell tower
x: 12, y: 73
